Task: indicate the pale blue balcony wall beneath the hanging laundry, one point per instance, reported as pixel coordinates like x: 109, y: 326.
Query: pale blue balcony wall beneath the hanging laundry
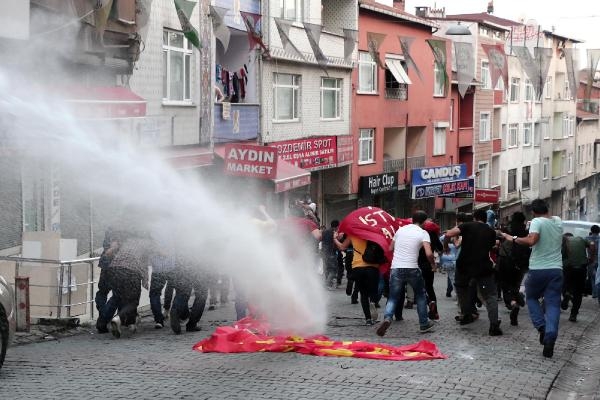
x: 240, y: 122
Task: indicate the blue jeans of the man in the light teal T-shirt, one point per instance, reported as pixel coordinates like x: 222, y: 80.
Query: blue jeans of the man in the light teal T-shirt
x: 546, y: 283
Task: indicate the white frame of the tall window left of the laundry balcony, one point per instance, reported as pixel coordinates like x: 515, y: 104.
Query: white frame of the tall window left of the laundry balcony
x: 187, y: 65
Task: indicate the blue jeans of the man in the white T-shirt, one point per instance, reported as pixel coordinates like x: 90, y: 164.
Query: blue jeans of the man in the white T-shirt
x: 400, y: 277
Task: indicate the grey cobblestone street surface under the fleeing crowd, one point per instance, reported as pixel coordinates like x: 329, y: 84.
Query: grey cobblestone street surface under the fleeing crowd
x: 155, y: 364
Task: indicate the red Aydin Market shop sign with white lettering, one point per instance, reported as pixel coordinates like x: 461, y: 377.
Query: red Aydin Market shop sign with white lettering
x: 250, y: 161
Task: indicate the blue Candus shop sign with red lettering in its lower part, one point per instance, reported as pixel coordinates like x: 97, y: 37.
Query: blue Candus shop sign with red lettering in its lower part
x: 439, y: 181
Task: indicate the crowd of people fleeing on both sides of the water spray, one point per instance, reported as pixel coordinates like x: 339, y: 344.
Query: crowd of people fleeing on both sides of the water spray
x: 484, y: 265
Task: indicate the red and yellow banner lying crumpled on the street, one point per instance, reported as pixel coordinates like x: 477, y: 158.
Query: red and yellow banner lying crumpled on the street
x: 249, y: 335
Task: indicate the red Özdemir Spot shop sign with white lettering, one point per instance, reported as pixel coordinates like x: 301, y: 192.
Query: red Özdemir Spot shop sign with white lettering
x: 314, y: 153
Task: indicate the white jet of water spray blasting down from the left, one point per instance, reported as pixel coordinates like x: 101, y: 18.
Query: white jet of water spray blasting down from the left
x: 209, y: 226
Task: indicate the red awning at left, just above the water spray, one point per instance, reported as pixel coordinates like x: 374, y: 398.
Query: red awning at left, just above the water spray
x: 103, y: 102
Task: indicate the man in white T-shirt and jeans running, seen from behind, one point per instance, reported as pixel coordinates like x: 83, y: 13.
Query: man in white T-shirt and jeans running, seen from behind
x: 406, y: 246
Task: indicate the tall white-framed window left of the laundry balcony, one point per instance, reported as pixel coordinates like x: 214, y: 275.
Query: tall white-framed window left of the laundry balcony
x: 177, y: 57
